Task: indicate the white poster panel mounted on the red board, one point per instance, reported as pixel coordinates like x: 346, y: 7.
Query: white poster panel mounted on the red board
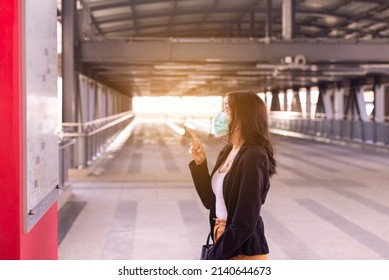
x: 41, y: 109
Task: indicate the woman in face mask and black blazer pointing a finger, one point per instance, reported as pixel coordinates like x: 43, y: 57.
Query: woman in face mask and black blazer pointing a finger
x: 237, y: 187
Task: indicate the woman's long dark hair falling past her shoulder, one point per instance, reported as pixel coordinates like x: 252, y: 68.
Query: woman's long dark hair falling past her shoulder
x: 248, y: 108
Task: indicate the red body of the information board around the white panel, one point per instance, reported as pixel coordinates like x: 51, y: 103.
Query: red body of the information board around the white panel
x: 41, y: 241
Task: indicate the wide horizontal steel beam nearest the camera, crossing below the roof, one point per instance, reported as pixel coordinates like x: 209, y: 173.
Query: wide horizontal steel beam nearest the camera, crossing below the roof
x: 192, y: 50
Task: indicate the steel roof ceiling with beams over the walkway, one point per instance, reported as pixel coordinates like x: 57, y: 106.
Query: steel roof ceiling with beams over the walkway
x: 183, y: 47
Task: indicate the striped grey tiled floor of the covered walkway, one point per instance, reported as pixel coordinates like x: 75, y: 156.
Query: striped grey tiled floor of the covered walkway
x: 327, y: 202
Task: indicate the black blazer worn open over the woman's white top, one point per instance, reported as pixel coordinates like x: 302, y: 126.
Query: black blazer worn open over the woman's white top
x: 245, y: 188
